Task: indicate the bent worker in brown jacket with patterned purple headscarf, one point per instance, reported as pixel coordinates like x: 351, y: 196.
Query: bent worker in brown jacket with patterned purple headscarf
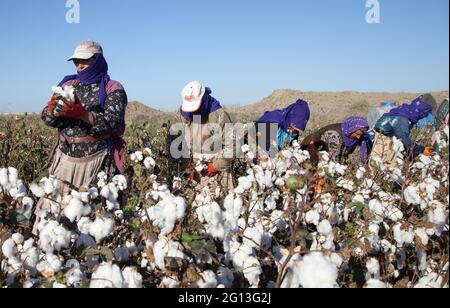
x: 348, y: 142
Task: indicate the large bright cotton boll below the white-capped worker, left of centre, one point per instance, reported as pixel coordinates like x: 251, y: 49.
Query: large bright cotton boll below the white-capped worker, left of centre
x: 167, y: 212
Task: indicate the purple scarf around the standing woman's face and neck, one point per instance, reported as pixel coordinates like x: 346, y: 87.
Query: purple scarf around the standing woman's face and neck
x: 97, y: 72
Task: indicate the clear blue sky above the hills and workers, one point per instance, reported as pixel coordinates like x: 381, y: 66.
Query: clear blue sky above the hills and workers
x: 242, y: 49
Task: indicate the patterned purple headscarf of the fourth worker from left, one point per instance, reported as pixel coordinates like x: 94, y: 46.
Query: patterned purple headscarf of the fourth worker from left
x: 352, y: 125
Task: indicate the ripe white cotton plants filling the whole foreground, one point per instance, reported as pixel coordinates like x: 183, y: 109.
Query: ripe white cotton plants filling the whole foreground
x: 366, y: 228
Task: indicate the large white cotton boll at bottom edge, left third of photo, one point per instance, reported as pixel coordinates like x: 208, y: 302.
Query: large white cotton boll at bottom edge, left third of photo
x: 107, y: 276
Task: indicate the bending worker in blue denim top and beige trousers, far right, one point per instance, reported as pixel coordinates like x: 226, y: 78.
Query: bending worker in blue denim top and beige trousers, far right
x: 398, y: 123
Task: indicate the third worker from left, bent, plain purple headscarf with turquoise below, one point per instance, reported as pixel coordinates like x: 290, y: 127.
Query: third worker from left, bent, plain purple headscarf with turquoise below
x: 291, y: 122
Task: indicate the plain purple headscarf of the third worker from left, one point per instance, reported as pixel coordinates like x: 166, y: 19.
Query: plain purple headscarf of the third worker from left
x: 297, y: 114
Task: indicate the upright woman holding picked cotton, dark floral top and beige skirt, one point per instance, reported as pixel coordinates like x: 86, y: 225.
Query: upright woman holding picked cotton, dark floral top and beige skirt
x: 90, y: 128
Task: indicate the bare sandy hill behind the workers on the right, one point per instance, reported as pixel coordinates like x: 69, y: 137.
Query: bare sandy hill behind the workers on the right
x: 326, y: 107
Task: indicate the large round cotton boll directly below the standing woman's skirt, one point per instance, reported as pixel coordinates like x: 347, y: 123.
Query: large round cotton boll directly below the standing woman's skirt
x: 53, y: 237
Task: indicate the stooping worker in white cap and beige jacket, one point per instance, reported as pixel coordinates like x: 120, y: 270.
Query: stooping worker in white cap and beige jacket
x: 210, y: 133
